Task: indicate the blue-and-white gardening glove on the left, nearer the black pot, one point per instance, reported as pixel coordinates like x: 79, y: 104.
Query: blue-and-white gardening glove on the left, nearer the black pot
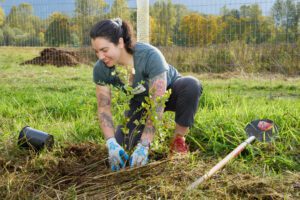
x: 117, y: 155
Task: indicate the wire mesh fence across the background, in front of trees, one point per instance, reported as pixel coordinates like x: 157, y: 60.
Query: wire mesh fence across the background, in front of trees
x: 197, y: 36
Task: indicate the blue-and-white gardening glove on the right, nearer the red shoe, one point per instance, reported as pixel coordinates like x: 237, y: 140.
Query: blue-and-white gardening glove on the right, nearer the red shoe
x: 139, y: 156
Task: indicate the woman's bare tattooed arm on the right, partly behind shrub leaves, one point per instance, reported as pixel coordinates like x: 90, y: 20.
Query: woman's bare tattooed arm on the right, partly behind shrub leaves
x: 158, y: 87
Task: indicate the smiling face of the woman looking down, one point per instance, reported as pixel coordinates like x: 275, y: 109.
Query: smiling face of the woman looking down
x: 107, y: 51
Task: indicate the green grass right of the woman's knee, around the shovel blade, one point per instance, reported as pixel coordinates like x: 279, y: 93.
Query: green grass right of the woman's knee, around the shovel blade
x: 228, y: 105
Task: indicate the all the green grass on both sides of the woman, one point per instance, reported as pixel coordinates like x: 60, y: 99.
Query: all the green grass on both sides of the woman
x: 62, y: 102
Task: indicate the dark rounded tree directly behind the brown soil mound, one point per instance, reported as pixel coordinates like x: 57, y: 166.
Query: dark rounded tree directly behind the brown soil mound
x: 58, y: 32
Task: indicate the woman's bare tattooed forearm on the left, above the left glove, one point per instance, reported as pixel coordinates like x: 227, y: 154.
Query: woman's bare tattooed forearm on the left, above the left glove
x: 103, y: 94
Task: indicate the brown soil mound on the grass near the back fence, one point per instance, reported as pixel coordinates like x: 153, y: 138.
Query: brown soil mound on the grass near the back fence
x: 52, y: 56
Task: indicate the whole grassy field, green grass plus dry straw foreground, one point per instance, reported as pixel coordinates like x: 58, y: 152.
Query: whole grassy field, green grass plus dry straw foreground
x: 62, y: 102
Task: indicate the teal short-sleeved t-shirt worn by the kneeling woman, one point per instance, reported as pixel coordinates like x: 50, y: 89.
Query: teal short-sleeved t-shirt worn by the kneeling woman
x: 148, y: 63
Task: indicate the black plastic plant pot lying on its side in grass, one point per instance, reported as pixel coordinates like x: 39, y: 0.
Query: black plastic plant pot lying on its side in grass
x: 35, y: 139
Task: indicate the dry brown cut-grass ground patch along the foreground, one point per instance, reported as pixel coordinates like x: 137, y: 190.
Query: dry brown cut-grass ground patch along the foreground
x: 82, y: 171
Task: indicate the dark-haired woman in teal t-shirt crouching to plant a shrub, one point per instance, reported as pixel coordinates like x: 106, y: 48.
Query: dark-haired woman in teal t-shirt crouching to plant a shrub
x: 113, y: 43
